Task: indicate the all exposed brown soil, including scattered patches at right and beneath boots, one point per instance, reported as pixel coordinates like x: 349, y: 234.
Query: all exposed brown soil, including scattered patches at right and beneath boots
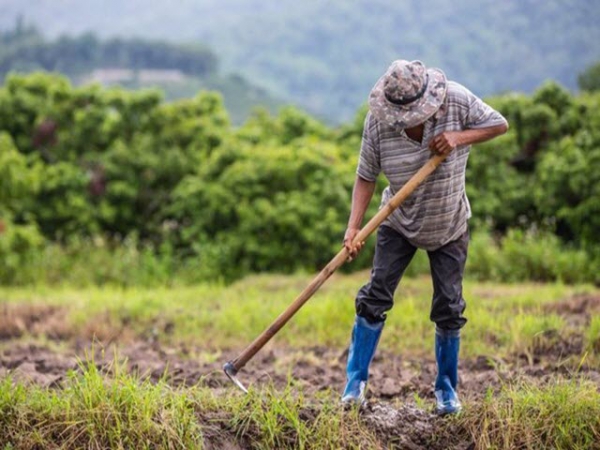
x: 400, y: 399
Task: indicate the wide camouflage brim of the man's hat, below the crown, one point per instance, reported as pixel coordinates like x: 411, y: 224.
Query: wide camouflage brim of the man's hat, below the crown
x: 415, y: 113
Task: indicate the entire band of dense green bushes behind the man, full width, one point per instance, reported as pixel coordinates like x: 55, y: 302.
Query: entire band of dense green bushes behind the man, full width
x: 109, y: 186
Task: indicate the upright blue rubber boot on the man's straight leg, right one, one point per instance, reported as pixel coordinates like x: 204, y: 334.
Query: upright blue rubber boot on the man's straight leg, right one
x: 447, y: 345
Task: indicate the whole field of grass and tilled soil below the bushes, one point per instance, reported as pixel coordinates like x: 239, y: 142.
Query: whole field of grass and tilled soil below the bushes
x: 141, y: 368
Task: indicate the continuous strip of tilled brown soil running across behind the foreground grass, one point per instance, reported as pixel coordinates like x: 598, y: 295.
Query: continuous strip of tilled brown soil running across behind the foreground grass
x: 392, y: 377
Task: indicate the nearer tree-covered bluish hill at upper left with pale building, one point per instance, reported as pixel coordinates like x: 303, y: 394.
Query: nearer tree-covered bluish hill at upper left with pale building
x: 177, y: 69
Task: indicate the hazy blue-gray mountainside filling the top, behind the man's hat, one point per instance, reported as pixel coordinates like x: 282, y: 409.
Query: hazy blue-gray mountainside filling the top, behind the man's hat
x: 326, y: 56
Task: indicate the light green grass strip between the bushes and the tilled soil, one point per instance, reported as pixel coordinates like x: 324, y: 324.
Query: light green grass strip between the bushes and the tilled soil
x: 503, y: 319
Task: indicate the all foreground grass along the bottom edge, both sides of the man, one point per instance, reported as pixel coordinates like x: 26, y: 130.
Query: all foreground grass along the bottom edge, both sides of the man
x: 93, y: 411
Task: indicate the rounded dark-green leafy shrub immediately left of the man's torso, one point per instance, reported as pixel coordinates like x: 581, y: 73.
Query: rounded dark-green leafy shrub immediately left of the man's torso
x: 266, y: 208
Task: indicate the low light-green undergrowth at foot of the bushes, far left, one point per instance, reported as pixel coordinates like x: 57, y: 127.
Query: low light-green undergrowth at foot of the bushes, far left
x: 26, y: 259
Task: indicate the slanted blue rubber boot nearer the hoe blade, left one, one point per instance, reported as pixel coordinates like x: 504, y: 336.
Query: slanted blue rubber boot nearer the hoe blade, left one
x: 365, y: 337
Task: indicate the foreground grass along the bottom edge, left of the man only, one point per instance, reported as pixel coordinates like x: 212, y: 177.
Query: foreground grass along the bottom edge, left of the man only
x: 93, y: 411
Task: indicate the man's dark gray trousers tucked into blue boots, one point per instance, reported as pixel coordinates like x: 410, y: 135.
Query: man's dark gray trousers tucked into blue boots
x: 393, y: 253
